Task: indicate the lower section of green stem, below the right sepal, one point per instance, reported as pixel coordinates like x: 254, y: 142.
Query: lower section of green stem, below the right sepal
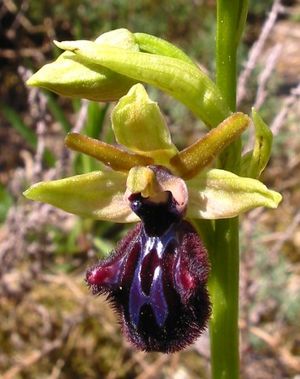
x: 224, y: 295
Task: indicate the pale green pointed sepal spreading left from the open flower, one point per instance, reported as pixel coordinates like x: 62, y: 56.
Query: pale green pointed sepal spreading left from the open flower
x: 98, y: 195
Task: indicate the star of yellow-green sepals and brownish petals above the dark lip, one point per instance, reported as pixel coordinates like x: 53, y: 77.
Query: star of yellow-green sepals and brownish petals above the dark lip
x: 140, y: 128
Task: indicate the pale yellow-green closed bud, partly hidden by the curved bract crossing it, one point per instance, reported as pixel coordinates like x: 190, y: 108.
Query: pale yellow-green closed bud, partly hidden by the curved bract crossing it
x: 72, y: 76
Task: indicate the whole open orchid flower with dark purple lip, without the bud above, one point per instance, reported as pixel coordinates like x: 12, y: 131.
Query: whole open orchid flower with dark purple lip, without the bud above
x: 156, y: 278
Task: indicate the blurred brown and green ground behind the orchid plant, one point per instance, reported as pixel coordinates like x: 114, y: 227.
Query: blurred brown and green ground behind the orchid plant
x: 50, y: 325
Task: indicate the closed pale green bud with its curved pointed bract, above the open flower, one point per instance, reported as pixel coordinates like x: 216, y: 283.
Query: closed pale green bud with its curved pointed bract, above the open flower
x: 104, y: 70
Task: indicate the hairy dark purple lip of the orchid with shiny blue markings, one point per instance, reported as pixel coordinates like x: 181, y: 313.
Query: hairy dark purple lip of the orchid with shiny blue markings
x: 156, y: 279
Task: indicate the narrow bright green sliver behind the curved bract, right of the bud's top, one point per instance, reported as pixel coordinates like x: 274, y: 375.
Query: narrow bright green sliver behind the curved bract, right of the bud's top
x: 154, y: 45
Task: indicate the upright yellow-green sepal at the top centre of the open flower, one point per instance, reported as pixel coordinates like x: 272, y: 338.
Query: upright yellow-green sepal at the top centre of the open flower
x: 139, y: 125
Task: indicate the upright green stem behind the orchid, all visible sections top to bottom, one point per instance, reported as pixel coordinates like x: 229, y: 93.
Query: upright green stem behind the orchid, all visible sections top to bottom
x: 224, y: 251
